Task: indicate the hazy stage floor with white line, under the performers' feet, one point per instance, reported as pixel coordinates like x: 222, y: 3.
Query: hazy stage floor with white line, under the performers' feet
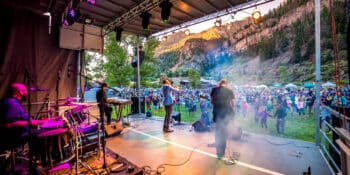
x: 145, y: 144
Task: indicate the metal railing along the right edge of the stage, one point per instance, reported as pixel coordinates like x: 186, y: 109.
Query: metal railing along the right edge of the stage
x: 328, y: 145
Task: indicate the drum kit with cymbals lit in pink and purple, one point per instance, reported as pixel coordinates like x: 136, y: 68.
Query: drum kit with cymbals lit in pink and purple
x: 68, y: 137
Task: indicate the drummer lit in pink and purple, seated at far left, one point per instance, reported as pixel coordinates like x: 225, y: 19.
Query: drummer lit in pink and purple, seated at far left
x: 13, y: 117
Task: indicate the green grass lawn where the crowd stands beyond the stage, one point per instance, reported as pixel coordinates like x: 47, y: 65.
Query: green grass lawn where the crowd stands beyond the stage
x: 297, y: 127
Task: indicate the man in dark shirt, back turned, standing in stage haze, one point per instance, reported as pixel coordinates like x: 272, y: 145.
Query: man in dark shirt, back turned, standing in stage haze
x: 222, y: 99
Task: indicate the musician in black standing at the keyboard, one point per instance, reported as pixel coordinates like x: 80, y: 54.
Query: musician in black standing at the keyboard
x: 102, y: 95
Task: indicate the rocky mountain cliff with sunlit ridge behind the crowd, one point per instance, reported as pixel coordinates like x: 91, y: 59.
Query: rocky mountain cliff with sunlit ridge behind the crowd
x: 225, y: 50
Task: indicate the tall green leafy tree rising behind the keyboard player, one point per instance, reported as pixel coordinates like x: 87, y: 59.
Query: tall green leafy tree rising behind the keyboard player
x: 118, y: 70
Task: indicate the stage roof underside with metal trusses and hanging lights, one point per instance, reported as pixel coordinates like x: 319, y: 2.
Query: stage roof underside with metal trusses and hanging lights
x: 108, y: 13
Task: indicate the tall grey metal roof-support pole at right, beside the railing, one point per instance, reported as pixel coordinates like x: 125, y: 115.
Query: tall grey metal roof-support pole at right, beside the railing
x: 317, y: 67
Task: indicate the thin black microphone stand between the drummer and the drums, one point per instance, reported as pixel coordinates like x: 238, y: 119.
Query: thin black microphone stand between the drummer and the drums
x: 28, y: 80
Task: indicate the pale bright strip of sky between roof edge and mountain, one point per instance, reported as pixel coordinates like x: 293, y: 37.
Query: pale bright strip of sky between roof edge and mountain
x: 264, y: 9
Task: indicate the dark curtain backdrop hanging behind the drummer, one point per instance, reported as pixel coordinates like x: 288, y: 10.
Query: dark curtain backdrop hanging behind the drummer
x: 25, y: 44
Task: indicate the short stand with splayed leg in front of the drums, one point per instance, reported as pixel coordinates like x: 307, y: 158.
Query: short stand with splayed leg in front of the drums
x: 78, y: 138
